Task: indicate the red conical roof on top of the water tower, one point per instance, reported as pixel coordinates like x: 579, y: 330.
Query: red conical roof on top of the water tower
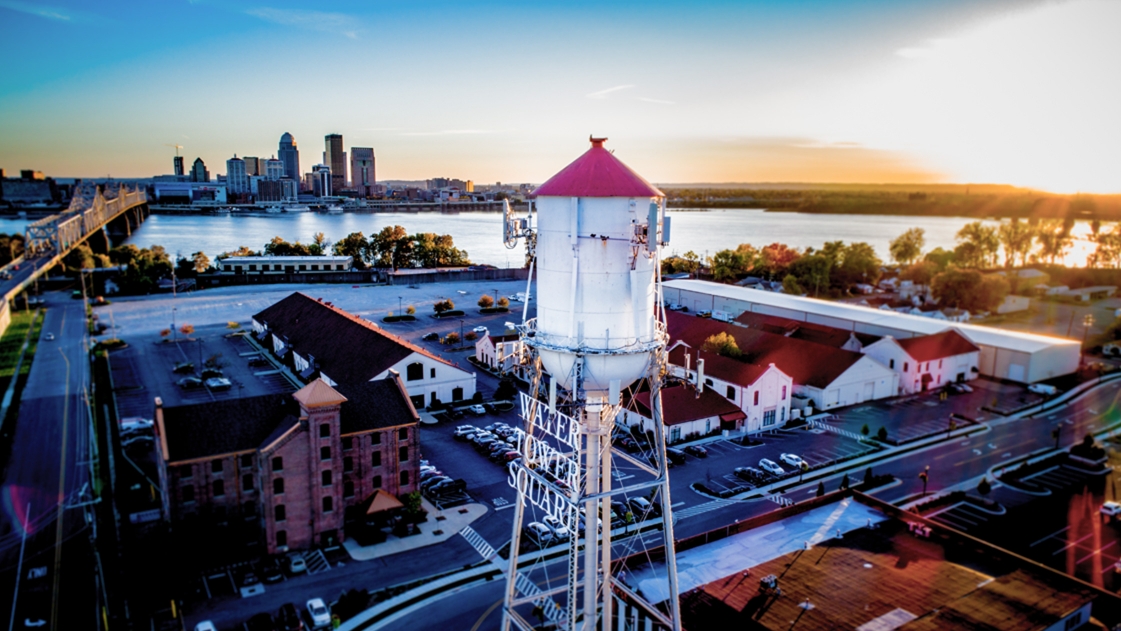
x: 598, y: 174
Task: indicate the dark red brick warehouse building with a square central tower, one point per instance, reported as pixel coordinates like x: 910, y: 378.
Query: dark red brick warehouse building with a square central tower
x: 282, y: 470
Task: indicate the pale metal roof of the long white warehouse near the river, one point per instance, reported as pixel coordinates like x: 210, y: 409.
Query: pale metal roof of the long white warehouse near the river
x: 915, y: 326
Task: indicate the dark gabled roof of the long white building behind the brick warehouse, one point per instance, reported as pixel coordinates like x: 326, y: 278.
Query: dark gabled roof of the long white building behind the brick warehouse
x: 346, y: 347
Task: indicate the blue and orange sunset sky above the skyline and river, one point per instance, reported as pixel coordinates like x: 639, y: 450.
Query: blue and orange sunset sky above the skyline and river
x: 897, y: 91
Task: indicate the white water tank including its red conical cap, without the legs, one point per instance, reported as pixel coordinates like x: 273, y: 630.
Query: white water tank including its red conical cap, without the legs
x: 597, y: 273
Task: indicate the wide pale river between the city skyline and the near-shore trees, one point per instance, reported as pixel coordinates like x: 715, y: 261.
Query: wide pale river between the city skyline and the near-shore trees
x: 701, y: 231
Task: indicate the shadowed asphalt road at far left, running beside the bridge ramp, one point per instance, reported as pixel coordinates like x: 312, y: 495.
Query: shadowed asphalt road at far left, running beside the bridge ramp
x: 49, y: 469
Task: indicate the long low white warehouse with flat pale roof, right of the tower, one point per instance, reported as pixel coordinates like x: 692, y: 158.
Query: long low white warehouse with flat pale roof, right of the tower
x: 1024, y: 358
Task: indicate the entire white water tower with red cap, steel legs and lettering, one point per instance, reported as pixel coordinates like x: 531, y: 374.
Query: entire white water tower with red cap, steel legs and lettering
x: 599, y: 335
